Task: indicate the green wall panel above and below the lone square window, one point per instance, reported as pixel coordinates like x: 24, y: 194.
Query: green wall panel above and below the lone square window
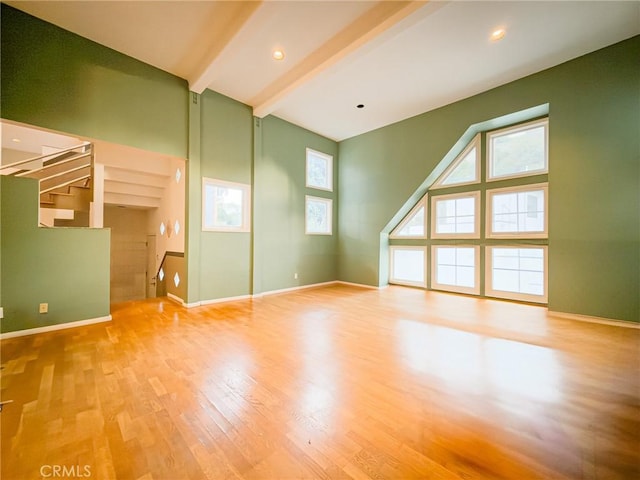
x: 226, y: 154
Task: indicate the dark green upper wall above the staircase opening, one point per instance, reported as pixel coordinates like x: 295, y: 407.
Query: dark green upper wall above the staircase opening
x: 52, y: 78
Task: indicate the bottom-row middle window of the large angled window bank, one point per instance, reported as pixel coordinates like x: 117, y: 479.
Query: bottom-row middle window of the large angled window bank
x: 455, y: 269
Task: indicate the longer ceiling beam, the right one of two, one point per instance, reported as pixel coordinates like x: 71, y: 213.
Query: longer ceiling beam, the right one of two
x: 368, y: 26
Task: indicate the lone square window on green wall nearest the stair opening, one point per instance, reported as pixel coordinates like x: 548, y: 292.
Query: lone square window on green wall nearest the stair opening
x: 225, y: 206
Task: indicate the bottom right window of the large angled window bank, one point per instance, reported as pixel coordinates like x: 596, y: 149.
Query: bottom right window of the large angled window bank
x: 517, y: 273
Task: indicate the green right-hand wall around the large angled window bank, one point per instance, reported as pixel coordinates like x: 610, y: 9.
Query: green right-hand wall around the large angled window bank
x: 594, y: 221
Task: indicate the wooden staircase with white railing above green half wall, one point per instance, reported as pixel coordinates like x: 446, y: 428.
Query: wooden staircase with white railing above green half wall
x: 65, y: 179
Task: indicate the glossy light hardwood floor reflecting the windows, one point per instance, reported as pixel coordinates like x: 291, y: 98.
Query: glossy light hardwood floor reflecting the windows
x: 336, y: 382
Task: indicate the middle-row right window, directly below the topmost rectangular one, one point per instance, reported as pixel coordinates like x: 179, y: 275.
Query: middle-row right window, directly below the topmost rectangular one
x: 517, y: 212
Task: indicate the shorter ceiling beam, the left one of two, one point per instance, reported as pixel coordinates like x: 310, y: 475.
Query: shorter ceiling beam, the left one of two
x: 227, y: 22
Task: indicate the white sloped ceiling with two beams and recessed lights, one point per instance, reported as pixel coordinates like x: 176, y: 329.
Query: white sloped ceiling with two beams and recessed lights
x: 397, y: 58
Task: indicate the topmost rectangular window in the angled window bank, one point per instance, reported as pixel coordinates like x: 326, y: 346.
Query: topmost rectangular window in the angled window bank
x: 518, y: 151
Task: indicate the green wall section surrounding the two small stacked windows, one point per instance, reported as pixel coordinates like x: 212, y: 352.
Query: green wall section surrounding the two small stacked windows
x: 281, y: 246
